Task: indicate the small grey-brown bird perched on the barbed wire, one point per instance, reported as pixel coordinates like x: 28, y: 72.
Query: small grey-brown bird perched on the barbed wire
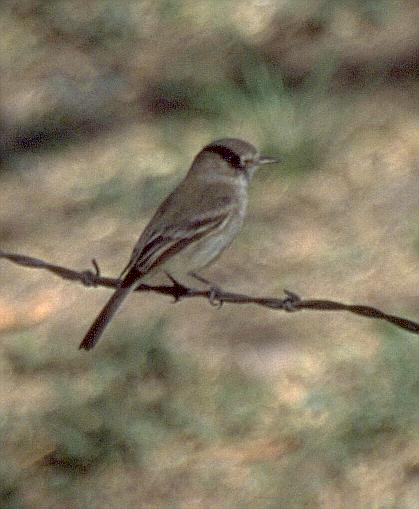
x: 192, y: 226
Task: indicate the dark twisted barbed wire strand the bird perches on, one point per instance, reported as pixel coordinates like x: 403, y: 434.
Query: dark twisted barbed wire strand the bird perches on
x: 292, y: 302
